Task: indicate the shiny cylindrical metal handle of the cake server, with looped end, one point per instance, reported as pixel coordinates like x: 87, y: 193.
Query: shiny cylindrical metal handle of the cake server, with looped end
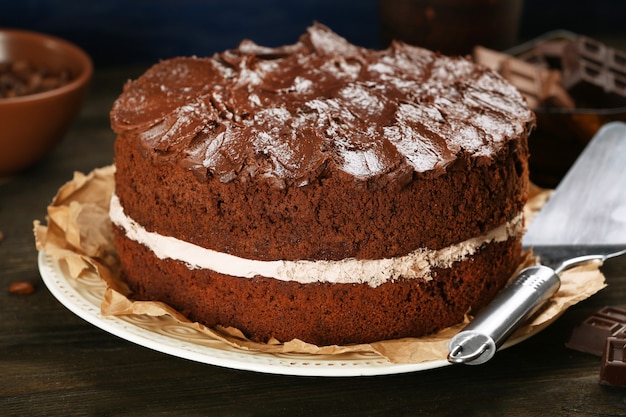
x: 492, y: 326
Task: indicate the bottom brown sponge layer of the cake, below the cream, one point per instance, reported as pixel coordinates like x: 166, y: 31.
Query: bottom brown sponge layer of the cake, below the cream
x: 321, y: 313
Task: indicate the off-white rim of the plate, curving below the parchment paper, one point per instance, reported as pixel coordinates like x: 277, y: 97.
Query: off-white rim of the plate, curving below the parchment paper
x: 60, y: 286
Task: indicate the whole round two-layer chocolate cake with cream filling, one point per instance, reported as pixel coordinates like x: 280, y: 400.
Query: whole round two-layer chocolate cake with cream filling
x: 320, y: 190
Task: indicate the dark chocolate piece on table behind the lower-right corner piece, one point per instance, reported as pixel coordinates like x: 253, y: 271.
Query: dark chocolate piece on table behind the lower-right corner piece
x: 590, y: 336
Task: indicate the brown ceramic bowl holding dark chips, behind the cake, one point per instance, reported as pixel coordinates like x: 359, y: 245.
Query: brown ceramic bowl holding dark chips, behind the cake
x: 32, y: 124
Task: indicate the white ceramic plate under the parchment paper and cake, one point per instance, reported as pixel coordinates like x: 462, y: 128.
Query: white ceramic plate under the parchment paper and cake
x: 163, y: 334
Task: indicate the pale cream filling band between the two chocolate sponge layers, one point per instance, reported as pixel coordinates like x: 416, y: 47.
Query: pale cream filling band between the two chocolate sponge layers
x: 416, y: 265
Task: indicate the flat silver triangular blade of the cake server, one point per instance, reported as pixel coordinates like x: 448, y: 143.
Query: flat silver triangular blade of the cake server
x: 588, y: 207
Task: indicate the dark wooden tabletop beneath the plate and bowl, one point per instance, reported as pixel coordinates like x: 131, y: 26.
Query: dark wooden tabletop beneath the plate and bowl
x: 52, y: 363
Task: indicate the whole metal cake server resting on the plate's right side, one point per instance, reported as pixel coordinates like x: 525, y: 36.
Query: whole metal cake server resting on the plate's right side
x: 584, y: 220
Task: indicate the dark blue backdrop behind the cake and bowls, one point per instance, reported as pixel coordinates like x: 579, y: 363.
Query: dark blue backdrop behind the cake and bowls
x: 143, y: 31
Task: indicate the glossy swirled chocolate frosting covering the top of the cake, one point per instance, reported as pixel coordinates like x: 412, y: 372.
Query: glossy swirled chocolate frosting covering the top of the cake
x: 320, y: 107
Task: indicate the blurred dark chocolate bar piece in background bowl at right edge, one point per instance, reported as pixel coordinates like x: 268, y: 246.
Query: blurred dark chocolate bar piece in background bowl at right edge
x: 594, y: 74
